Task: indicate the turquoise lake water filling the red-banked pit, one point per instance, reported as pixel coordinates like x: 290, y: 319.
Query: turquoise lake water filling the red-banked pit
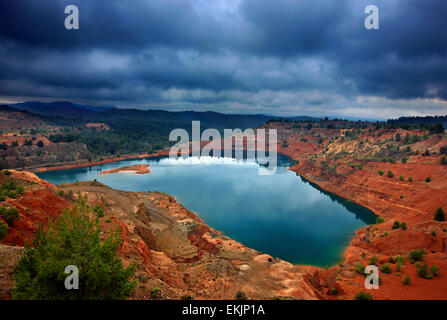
x: 278, y: 214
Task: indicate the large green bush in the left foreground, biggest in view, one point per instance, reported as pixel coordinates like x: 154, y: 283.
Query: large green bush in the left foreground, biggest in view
x: 74, y: 239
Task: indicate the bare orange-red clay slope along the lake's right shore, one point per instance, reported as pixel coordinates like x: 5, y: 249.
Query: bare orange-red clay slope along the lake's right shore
x: 394, y: 199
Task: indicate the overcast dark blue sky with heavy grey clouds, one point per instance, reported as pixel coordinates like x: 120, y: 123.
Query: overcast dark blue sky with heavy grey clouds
x: 281, y: 57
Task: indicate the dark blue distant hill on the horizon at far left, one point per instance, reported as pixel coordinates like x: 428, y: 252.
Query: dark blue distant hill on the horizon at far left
x: 60, y: 108
